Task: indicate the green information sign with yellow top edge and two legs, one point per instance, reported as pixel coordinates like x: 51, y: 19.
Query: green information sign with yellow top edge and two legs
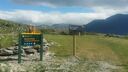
x: 30, y: 39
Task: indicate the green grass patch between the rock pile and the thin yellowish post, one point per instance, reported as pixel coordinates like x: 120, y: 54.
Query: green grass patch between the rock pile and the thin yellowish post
x: 63, y: 44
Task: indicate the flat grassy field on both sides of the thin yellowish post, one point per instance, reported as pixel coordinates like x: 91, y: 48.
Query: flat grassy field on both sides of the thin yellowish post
x: 91, y: 47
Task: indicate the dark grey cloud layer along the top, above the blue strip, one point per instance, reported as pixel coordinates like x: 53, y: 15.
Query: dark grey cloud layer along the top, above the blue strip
x: 83, y: 3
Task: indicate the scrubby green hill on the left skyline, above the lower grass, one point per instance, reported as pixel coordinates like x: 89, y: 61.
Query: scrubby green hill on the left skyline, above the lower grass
x: 11, y: 27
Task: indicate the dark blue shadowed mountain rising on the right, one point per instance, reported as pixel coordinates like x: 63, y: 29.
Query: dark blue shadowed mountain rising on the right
x: 116, y: 24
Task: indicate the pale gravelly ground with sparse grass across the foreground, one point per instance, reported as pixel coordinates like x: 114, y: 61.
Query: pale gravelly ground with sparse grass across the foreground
x: 51, y: 63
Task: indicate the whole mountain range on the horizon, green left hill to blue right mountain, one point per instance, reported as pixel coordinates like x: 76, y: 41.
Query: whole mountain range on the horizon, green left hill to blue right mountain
x: 116, y: 24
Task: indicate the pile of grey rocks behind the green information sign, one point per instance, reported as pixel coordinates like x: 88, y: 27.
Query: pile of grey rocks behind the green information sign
x: 25, y: 50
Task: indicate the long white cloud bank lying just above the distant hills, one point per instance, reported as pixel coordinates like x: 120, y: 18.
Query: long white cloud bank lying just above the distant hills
x: 38, y: 17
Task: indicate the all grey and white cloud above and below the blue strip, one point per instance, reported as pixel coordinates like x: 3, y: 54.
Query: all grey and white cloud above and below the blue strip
x: 102, y: 9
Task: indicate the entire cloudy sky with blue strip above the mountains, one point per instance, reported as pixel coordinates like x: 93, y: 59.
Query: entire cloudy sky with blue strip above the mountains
x: 46, y: 12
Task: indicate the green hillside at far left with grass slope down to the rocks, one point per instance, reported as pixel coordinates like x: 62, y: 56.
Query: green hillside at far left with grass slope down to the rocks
x: 9, y: 31
